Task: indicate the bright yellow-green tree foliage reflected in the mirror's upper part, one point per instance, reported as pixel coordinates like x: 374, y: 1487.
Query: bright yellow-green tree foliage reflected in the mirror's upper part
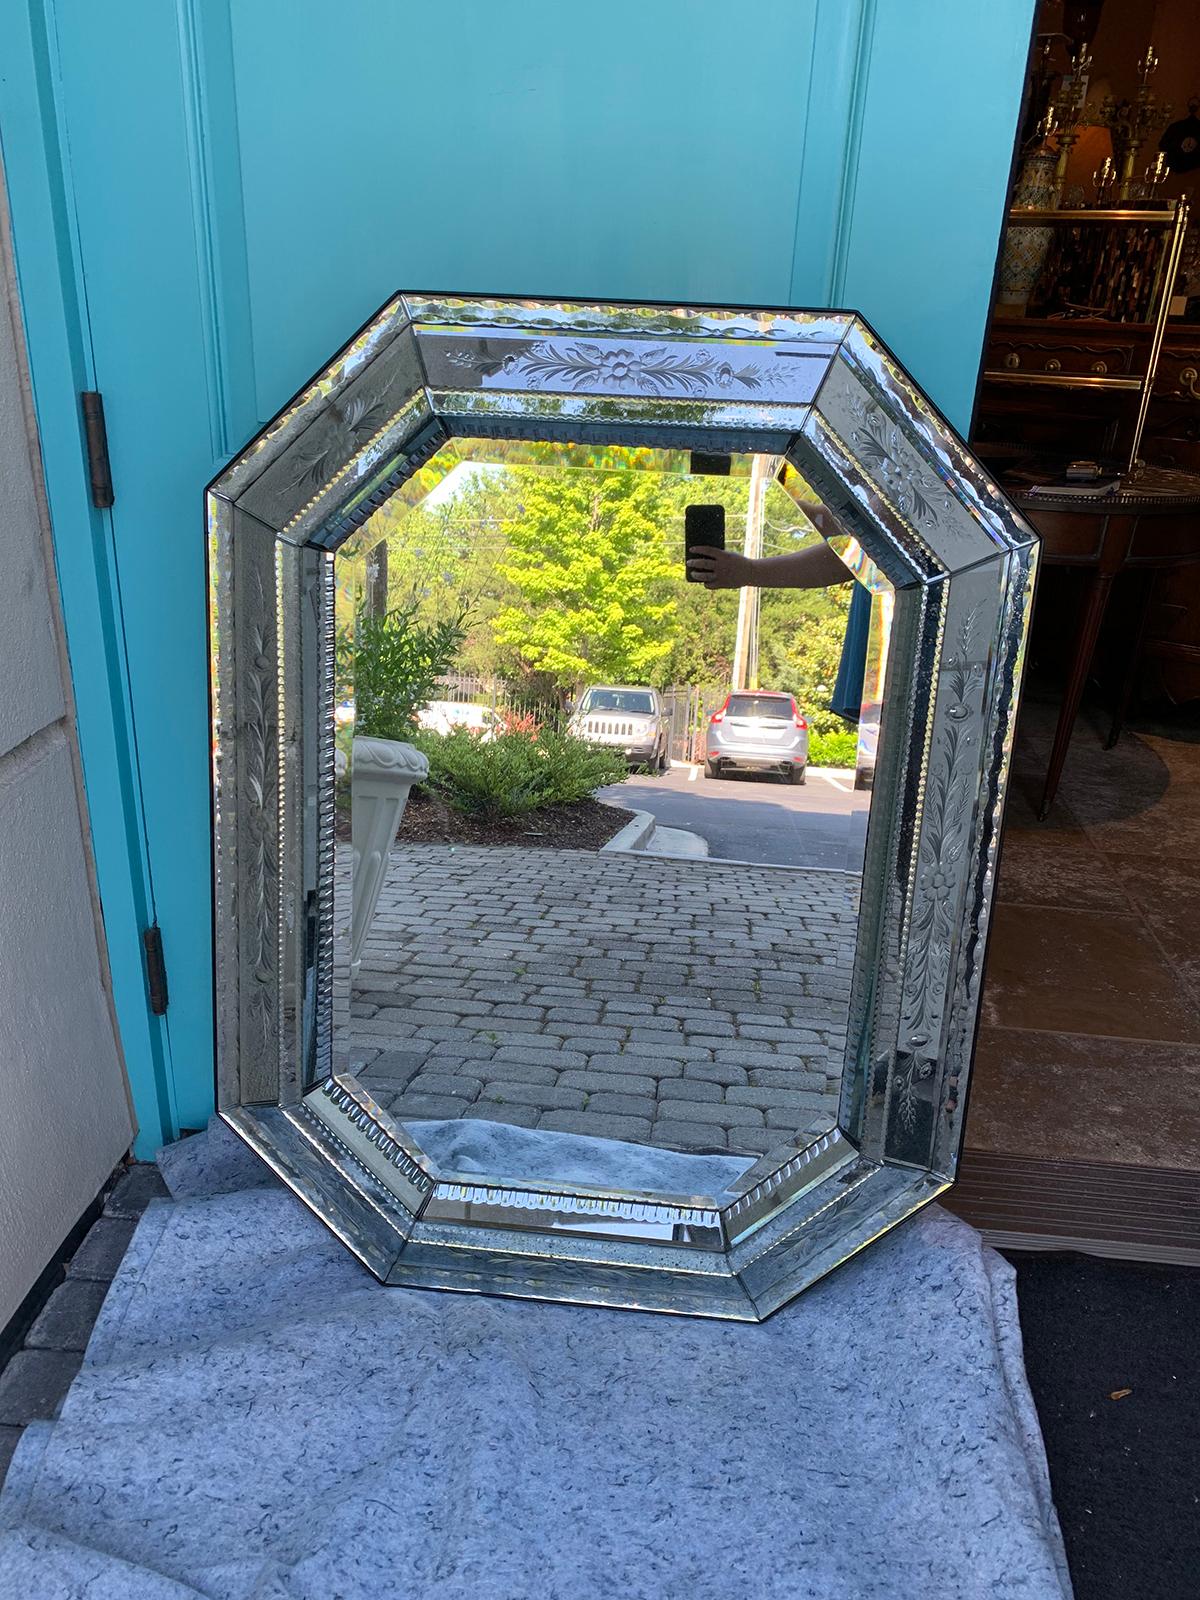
x: 577, y: 577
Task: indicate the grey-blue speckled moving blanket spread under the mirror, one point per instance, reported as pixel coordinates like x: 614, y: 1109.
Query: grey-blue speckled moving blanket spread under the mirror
x: 258, y: 1418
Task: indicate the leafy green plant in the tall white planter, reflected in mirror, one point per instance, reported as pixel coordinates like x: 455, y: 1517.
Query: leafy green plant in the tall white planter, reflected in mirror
x: 391, y: 666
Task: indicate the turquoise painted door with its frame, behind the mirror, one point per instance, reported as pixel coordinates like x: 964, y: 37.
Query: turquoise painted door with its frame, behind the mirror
x: 209, y: 196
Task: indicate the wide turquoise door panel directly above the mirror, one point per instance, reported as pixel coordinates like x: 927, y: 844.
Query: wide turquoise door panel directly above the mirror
x: 543, y: 151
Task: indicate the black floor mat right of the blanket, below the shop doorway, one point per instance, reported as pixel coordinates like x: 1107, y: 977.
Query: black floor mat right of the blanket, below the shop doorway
x: 1113, y: 1353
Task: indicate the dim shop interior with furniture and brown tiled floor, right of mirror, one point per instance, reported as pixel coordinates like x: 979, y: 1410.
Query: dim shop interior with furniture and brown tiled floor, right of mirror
x: 1089, y: 1058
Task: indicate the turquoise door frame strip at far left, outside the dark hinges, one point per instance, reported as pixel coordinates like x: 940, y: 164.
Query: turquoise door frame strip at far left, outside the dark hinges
x: 54, y: 302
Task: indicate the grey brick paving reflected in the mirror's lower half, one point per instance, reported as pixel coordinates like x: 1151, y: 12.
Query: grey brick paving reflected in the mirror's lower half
x: 686, y: 1004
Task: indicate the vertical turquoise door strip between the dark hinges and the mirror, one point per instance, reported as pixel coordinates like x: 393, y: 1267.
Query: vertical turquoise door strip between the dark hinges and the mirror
x: 150, y: 346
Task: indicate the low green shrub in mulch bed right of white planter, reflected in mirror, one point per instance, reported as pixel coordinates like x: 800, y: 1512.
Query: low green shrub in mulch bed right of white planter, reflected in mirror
x: 516, y: 772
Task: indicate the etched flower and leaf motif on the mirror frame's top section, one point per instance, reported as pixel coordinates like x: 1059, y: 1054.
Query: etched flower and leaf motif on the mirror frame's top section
x: 658, y: 370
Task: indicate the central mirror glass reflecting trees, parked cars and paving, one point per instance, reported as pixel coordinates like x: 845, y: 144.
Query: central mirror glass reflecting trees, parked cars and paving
x: 514, y: 636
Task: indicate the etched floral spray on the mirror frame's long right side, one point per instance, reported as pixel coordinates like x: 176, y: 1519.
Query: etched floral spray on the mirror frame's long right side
x: 945, y: 839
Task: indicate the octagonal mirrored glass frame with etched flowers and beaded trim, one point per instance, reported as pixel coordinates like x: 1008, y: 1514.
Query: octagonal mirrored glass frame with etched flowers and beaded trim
x: 818, y: 390
